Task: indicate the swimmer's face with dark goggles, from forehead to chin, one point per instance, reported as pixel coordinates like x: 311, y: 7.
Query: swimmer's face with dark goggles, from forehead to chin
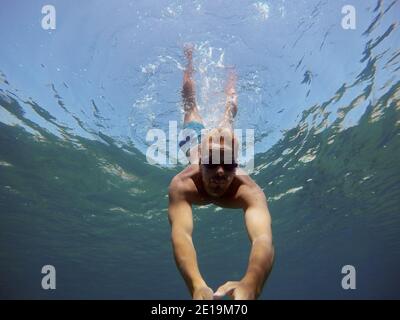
x: 217, y: 175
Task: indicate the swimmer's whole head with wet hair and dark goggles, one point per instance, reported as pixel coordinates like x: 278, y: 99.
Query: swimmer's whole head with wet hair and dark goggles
x: 218, y: 154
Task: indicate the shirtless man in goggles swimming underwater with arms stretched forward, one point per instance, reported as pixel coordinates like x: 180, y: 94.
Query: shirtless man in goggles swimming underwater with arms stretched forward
x: 213, y: 176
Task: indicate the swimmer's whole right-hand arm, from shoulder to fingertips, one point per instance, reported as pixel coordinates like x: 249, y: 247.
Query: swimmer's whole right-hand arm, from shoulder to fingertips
x: 258, y: 224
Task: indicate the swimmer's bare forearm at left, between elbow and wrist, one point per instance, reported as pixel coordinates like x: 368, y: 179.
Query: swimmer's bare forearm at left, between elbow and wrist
x: 186, y: 260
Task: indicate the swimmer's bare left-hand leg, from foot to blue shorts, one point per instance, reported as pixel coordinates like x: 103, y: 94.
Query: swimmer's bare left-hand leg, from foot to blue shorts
x: 188, y: 90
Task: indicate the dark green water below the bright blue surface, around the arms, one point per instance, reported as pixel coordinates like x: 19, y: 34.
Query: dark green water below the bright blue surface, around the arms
x: 97, y: 212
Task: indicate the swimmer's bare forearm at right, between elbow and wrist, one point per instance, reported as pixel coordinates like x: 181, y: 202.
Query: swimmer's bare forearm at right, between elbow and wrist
x: 260, y: 263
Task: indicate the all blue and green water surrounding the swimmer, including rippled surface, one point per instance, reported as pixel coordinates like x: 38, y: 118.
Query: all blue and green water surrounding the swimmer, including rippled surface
x: 76, y: 103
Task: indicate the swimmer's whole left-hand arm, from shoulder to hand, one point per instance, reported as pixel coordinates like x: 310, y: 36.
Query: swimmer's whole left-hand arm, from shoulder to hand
x: 181, y: 220
